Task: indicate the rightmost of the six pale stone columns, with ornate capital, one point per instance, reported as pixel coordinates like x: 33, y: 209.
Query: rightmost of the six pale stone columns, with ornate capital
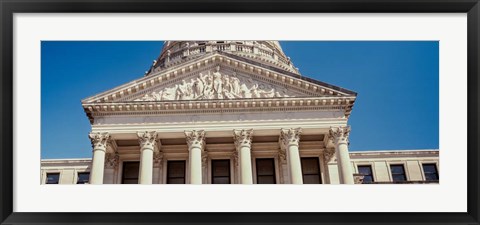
x: 339, y: 136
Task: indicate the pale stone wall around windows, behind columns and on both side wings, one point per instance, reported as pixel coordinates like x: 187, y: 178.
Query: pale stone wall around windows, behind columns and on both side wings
x: 380, y: 162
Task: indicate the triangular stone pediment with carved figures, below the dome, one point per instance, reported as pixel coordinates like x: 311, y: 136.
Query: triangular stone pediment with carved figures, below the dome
x: 218, y: 77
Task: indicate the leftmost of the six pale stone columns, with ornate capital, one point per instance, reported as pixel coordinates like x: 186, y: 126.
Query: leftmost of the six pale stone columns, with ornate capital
x: 99, y: 145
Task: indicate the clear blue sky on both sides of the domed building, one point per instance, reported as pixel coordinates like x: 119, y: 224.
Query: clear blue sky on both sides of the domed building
x: 397, y: 86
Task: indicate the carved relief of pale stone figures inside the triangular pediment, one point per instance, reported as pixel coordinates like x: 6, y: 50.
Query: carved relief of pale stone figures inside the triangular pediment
x: 216, y: 85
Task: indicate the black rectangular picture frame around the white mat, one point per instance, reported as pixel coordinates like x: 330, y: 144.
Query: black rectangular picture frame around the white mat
x: 9, y: 7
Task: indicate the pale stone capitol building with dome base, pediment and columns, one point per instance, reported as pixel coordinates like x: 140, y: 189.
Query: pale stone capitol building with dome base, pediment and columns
x: 230, y: 112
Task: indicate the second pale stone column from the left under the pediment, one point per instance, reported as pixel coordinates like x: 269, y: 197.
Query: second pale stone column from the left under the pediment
x: 147, y: 141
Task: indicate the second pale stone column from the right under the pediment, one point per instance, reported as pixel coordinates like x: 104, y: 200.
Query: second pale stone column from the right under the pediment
x: 289, y: 141
